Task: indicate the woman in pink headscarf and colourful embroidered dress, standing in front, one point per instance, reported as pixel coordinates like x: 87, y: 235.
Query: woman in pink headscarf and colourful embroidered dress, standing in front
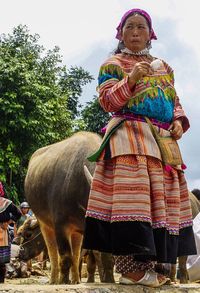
x: 138, y: 207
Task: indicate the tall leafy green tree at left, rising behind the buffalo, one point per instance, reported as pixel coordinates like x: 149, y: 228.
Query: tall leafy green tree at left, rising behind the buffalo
x: 35, y: 92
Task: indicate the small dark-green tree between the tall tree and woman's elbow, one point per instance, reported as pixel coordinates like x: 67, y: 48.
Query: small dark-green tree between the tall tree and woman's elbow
x: 94, y: 117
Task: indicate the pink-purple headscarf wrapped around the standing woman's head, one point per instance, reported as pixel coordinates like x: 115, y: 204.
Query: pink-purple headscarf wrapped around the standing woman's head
x: 127, y: 14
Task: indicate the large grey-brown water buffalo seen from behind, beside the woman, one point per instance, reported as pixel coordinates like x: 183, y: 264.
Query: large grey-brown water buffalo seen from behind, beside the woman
x: 57, y: 190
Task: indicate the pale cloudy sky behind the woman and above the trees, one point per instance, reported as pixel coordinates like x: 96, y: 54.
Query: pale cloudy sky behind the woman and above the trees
x: 84, y: 30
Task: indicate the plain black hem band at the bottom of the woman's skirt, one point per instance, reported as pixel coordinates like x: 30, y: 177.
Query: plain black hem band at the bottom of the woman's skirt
x: 139, y: 239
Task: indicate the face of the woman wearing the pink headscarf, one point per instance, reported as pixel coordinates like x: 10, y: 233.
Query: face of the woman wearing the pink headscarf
x: 135, y: 33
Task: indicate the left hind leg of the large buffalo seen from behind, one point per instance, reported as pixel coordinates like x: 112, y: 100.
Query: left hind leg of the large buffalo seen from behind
x: 50, y: 240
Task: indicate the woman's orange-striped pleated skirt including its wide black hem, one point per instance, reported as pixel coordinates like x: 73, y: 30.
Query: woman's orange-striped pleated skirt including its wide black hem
x: 136, y: 207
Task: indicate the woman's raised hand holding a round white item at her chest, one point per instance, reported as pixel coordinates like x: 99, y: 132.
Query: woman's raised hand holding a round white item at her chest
x: 139, y: 70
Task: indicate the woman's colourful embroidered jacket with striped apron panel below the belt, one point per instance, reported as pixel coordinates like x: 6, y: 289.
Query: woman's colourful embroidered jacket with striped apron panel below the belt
x: 153, y: 96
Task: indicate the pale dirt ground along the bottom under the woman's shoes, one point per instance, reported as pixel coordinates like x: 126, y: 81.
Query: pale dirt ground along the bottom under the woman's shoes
x: 39, y: 282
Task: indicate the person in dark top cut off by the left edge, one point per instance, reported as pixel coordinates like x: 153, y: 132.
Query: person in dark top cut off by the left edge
x: 8, y: 213
